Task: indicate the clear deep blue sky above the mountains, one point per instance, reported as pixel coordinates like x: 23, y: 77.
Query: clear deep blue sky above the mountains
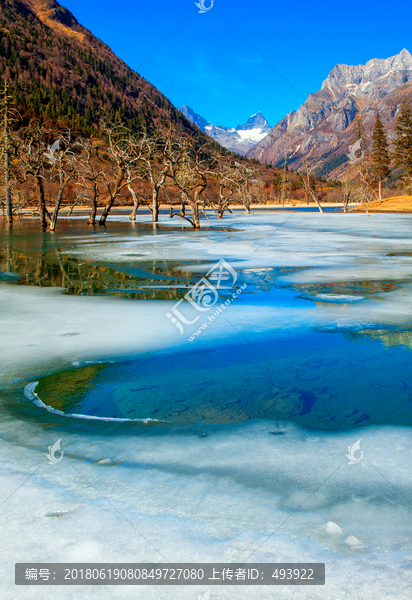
x: 218, y: 62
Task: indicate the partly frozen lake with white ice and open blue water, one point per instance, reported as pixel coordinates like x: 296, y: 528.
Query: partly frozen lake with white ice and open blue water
x: 222, y: 438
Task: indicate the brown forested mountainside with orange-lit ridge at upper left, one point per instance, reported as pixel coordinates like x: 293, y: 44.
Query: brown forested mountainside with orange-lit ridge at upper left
x: 59, y: 70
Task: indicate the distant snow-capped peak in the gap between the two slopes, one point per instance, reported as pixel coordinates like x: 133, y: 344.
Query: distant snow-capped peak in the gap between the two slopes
x: 239, y: 139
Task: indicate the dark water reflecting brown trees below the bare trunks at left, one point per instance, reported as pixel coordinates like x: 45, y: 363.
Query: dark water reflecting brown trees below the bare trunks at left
x: 29, y: 257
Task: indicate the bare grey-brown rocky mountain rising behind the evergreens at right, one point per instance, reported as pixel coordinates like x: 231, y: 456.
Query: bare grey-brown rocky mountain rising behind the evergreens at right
x: 321, y: 130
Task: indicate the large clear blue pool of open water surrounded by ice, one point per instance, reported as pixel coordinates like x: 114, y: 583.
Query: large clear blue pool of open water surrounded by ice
x: 319, y: 380
